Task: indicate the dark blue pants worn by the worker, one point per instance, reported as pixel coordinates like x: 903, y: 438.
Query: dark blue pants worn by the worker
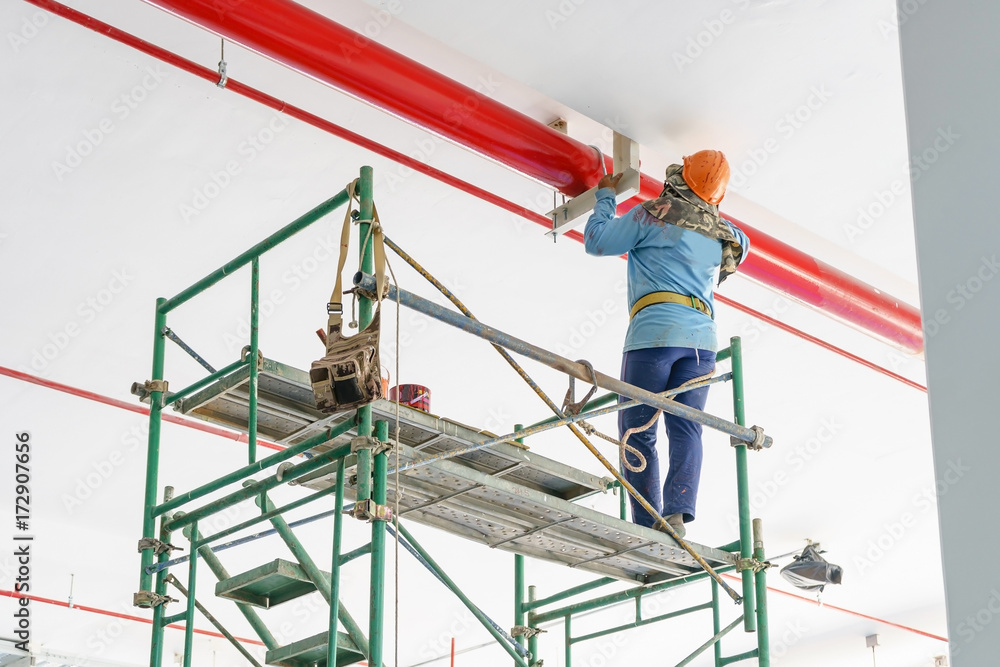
x: 657, y: 369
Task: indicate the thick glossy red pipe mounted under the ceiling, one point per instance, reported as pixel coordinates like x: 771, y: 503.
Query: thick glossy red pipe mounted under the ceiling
x: 316, y: 46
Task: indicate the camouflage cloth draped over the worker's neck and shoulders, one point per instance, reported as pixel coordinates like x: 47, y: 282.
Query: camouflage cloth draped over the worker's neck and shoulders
x: 679, y: 205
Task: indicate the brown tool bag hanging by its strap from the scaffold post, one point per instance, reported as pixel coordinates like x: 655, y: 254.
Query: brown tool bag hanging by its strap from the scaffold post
x: 348, y: 376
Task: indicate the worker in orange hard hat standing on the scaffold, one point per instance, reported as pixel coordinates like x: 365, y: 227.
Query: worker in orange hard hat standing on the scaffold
x: 675, y: 245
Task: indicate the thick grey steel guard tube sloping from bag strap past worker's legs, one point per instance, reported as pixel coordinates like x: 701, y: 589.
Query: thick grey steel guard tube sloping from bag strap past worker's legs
x: 579, y: 371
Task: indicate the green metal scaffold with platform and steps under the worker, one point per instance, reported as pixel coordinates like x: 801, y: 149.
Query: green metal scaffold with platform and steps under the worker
x: 453, y: 477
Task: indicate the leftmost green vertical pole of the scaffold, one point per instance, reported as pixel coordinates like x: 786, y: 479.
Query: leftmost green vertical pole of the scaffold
x: 152, y: 476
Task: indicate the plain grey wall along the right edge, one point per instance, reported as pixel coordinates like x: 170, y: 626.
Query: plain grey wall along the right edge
x: 951, y: 75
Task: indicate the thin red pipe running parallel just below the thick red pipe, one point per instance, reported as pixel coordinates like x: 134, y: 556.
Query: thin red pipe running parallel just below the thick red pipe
x: 338, y: 131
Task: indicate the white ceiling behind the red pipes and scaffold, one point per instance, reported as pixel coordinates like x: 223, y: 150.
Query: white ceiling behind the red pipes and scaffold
x: 65, y: 236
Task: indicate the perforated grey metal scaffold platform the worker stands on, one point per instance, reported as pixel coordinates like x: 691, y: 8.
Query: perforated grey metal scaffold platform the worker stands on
x: 505, y: 497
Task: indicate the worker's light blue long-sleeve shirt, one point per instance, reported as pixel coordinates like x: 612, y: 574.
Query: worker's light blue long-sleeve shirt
x: 661, y: 258
